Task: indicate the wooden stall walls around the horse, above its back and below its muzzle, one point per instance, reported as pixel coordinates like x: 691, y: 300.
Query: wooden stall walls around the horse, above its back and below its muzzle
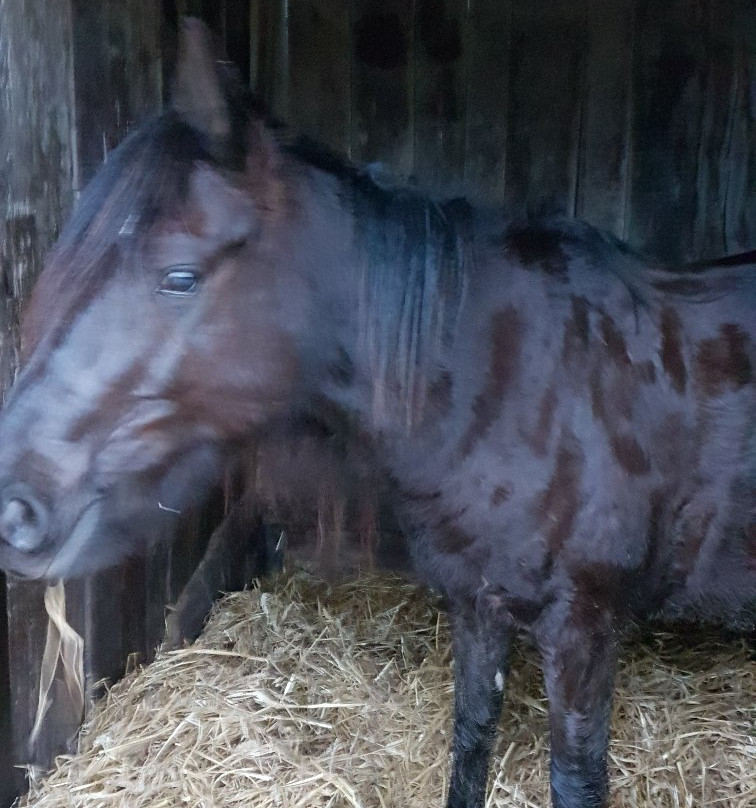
x: 639, y: 119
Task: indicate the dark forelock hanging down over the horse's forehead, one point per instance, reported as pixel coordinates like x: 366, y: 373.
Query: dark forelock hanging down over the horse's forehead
x: 146, y: 176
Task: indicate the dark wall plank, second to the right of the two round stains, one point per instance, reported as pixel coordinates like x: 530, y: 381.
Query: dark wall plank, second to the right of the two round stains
x: 547, y: 77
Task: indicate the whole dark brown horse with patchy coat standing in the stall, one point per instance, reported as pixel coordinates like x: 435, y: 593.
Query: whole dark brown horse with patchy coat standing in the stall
x: 568, y: 433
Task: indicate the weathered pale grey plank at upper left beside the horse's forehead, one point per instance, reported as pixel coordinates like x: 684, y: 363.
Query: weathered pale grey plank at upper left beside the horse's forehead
x: 36, y: 152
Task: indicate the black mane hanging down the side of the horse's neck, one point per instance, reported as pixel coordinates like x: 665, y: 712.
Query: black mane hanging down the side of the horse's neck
x: 412, y: 271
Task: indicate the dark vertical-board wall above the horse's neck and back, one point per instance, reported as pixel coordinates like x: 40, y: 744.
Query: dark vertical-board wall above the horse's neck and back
x: 637, y: 115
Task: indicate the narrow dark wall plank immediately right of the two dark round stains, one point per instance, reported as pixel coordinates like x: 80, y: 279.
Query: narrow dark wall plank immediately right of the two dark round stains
x: 488, y: 41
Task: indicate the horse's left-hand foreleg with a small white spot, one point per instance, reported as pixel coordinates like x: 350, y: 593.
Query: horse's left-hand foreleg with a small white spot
x: 481, y: 651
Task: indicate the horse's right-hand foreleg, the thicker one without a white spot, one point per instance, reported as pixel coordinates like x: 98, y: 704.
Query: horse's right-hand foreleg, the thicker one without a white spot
x: 579, y: 654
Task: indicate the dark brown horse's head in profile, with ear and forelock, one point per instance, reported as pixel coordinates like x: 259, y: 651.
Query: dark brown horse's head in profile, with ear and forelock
x: 158, y: 332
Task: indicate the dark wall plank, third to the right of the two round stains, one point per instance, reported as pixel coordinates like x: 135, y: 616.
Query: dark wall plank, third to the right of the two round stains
x: 604, y: 148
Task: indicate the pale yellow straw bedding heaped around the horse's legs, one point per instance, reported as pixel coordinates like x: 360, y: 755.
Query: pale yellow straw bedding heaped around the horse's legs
x: 302, y: 695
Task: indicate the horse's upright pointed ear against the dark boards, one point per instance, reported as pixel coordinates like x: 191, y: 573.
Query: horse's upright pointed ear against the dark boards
x: 199, y: 97
